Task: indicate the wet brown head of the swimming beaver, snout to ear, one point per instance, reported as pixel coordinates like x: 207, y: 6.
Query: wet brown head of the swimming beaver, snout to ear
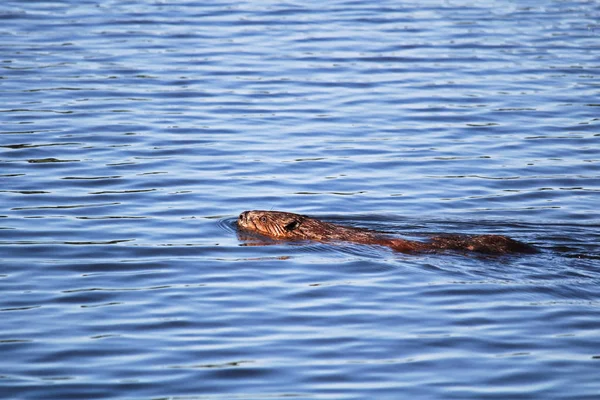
x: 275, y: 224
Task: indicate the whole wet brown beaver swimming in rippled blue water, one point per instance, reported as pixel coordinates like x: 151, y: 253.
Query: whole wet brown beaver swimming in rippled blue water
x: 281, y: 225
